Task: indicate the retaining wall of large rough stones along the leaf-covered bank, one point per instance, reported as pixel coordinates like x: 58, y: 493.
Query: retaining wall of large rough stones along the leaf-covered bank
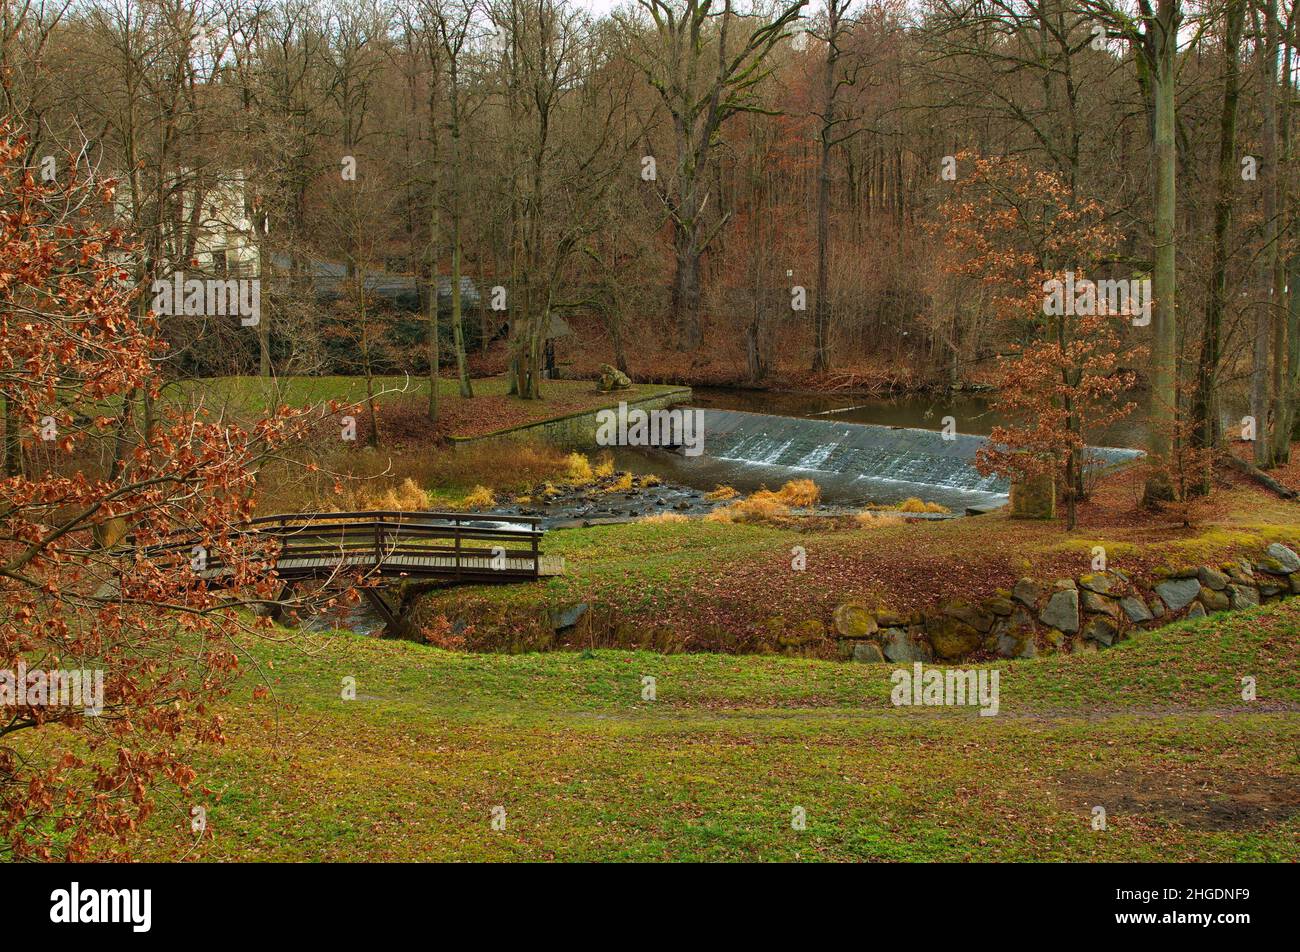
x: 1084, y: 615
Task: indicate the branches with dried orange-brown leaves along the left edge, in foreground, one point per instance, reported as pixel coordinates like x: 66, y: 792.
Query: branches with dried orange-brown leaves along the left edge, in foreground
x: 88, y: 470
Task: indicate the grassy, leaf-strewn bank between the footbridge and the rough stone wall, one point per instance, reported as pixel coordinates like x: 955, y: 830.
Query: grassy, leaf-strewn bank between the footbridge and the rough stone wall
x: 775, y: 586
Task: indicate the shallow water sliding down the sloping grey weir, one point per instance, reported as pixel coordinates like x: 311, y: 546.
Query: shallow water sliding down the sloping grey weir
x: 863, y: 462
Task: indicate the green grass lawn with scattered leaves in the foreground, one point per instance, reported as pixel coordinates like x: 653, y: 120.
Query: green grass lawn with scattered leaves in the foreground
x: 1155, y: 730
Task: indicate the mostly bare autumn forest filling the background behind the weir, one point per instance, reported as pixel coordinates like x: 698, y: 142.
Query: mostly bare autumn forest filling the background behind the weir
x: 705, y: 192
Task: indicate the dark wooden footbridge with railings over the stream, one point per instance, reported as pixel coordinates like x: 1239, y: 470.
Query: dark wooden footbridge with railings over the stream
x: 393, y: 546
